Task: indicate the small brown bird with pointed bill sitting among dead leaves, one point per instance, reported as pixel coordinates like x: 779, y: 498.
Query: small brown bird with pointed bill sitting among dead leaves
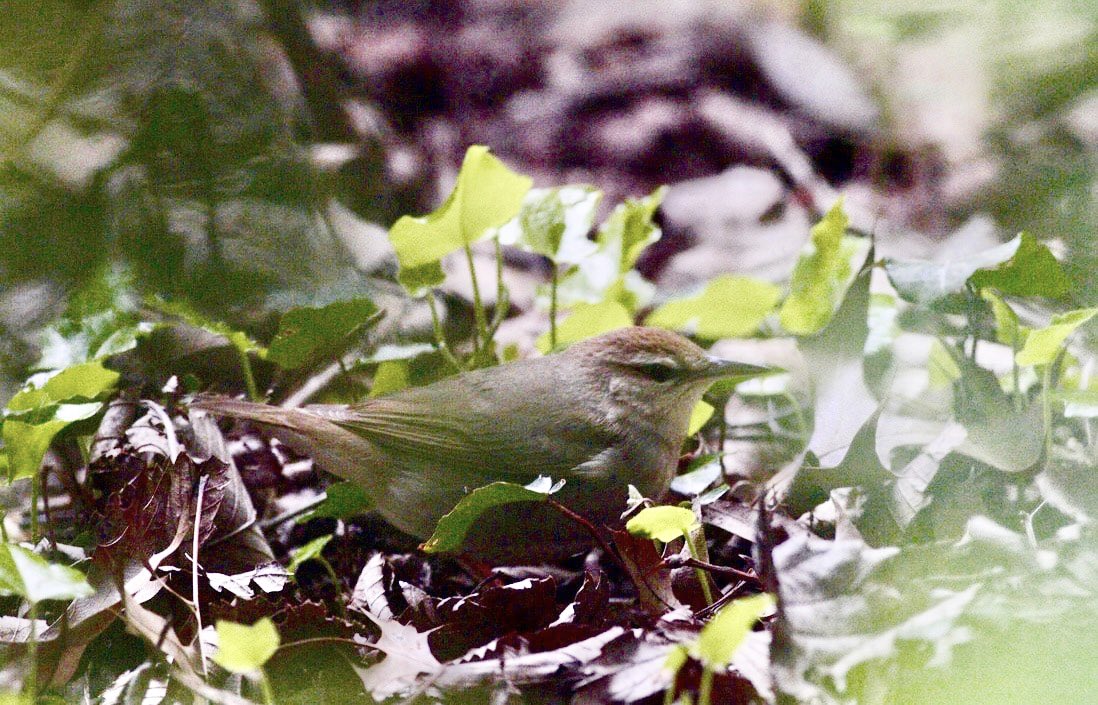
x: 607, y: 413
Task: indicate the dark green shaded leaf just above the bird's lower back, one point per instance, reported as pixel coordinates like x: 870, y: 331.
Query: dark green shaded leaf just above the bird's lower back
x: 307, y: 334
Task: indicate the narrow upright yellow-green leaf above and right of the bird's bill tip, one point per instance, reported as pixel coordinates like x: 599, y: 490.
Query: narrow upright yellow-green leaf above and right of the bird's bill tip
x: 823, y: 275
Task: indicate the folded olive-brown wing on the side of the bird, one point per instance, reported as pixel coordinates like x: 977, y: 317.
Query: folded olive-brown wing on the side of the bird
x: 503, y: 437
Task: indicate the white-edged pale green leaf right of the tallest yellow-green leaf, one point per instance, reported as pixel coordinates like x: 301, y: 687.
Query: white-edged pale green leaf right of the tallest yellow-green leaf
x: 555, y: 223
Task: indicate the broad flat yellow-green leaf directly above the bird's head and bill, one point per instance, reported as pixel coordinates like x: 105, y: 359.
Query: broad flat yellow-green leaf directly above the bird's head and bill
x: 730, y: 308
